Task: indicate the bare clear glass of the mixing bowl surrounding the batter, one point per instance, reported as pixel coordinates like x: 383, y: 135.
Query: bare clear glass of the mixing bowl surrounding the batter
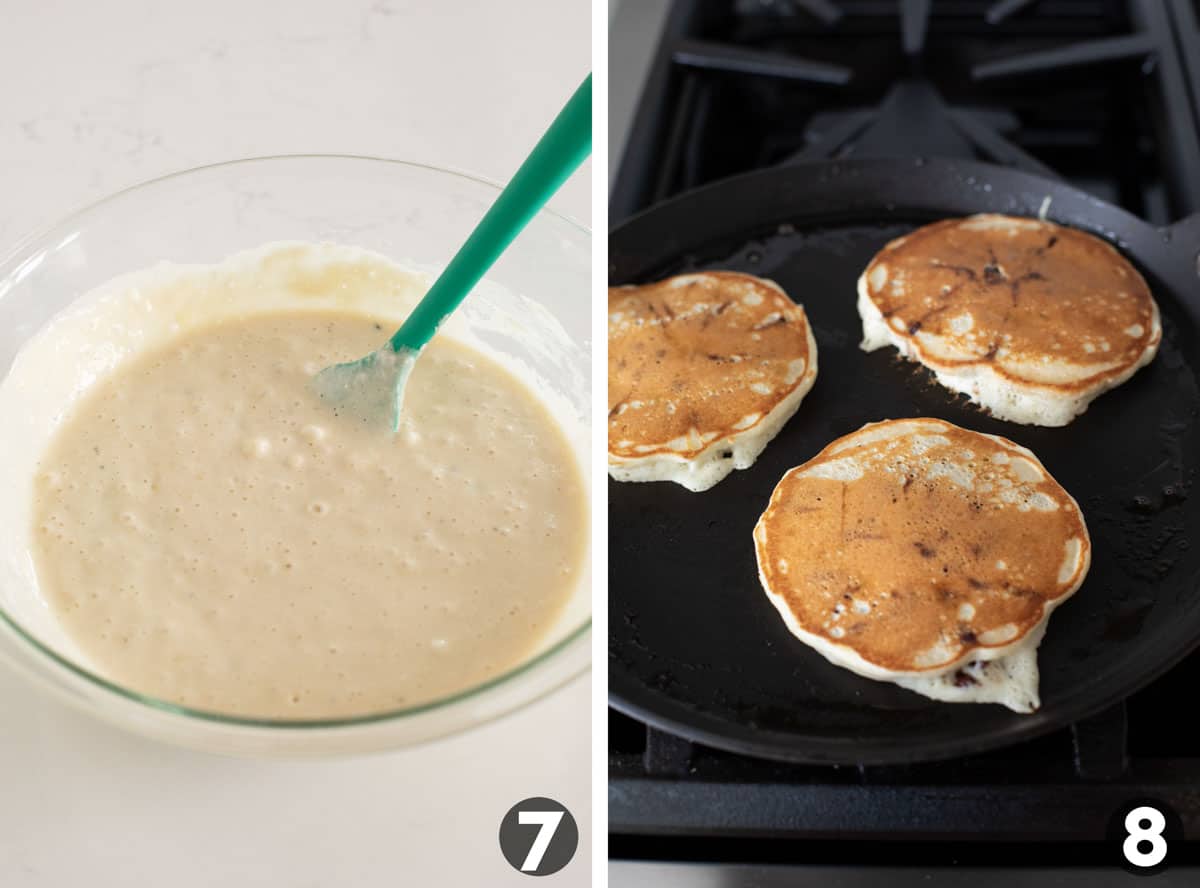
x: 413, y: 214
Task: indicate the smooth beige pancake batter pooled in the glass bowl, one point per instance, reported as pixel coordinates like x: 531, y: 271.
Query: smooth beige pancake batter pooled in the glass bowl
x: 209, y: 533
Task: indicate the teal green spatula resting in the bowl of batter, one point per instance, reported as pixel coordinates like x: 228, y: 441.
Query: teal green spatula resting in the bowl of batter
x: 373, y: 389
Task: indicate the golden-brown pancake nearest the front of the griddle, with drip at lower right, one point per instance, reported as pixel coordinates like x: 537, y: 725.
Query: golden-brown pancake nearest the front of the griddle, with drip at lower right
x: 917, y: 553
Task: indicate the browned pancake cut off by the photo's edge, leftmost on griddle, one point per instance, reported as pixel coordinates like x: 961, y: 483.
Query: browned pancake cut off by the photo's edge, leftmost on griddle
x: 704, y: 371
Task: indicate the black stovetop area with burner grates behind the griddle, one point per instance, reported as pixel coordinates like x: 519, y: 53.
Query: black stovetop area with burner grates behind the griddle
x: 1102, y: 93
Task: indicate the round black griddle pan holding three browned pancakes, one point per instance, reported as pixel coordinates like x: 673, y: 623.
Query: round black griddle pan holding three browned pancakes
x: 694, y: 645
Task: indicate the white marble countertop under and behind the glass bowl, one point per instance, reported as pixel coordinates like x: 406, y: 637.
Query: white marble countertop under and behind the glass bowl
x: 99, y: 97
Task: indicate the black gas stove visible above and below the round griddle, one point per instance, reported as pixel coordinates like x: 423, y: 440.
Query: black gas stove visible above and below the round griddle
x: 1103, y: 94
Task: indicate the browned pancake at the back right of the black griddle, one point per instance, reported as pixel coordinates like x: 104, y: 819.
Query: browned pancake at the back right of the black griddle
x: 1033, y: 321
